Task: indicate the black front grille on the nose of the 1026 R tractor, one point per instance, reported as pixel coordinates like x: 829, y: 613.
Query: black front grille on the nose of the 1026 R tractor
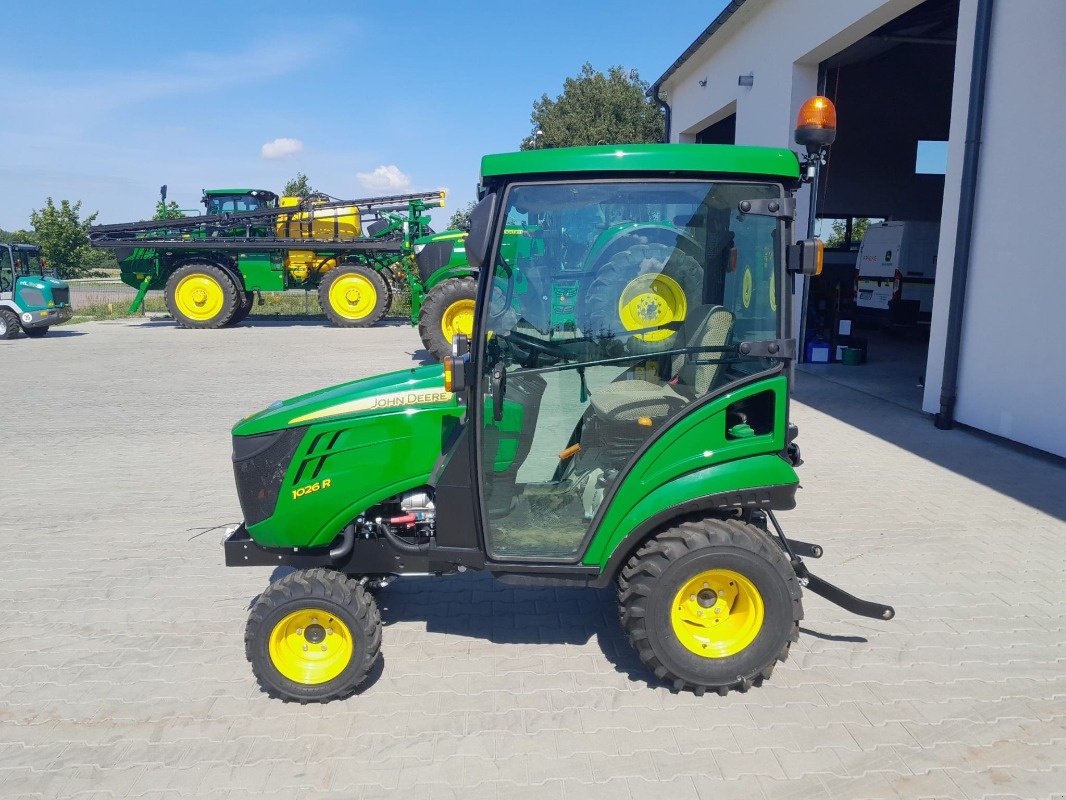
x: 260, y: 467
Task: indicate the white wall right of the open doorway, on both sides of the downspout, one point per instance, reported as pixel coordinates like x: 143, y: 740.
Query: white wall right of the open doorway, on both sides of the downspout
x: 1013, y: 365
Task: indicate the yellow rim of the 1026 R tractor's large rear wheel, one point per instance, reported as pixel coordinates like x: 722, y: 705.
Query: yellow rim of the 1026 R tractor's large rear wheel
x: 718, y: 614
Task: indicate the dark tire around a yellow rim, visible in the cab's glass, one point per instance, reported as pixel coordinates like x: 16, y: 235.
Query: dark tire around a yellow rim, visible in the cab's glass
x: 599, y: 307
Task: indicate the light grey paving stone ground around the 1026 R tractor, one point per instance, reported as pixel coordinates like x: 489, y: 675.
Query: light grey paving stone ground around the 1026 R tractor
x: 123, y: 673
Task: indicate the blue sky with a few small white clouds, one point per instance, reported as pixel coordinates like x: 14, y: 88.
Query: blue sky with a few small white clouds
x: 116, y: 99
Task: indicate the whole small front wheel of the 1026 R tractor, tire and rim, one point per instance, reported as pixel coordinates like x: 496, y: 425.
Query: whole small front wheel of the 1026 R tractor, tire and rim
x: 313, y: 636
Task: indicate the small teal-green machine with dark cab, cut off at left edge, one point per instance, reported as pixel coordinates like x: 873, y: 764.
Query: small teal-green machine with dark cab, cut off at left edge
x: 31, y: 296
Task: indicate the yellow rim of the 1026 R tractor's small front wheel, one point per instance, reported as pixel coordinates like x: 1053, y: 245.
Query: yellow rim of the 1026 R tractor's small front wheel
x: 311, y: 647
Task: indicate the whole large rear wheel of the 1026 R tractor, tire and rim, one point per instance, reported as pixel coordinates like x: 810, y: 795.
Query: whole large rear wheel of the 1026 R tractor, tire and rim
x: 712, y: 604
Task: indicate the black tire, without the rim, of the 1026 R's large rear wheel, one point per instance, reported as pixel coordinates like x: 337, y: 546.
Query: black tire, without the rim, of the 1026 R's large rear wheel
x: 655, y: 578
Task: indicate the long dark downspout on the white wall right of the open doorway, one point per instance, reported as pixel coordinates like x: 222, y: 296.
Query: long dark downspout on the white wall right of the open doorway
x: 964, y: 235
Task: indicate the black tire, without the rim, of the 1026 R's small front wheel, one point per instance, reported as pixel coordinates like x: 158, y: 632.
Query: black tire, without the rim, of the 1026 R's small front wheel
x: 343, y: 600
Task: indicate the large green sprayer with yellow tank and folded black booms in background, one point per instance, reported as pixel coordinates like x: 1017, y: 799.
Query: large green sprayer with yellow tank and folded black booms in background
x: 251, y: 242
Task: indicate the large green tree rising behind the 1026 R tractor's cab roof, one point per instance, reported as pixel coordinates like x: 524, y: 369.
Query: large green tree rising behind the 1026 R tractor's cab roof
x: 596, y: 109
